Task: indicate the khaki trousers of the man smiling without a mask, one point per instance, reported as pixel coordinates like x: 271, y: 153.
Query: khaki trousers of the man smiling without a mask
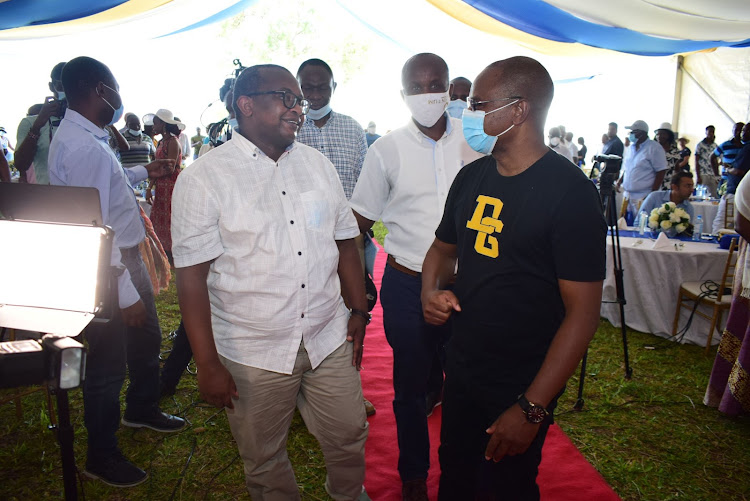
x: 329, y: 399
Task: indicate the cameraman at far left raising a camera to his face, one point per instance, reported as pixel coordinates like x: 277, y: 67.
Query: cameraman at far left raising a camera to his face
x: 35, y: 133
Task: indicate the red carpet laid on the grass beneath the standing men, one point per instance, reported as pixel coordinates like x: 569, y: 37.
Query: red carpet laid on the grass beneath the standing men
x: 564, y: 475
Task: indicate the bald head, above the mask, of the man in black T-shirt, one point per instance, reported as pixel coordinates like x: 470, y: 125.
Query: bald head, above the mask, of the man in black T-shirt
x: 523, y: 77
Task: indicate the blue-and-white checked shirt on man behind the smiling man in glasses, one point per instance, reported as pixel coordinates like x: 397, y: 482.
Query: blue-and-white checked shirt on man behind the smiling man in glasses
x: 342, y: 141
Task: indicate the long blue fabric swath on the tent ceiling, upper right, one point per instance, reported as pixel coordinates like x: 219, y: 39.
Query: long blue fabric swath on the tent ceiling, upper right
x: 541, y: 19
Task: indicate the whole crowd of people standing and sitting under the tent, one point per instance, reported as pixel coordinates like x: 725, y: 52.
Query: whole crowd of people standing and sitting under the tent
x: 269, y: 234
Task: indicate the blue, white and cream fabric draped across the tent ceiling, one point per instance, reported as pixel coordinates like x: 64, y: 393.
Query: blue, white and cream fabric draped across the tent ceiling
x: 569, y: 27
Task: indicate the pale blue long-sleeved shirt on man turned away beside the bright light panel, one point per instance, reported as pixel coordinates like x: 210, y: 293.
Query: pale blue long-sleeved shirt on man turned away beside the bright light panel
x: 79, y: 155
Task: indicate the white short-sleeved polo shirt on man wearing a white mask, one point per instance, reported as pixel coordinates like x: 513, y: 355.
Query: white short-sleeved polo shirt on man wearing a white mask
x: 404, y: 182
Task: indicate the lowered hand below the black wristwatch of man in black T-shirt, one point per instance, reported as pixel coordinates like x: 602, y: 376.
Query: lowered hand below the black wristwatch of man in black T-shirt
x: 511, y: 434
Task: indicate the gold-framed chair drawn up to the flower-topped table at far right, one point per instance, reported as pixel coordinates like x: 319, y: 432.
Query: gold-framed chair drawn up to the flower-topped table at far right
x: 690, y: 292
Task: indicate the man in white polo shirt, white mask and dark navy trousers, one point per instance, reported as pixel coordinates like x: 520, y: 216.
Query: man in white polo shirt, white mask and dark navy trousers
x: 404, y: 182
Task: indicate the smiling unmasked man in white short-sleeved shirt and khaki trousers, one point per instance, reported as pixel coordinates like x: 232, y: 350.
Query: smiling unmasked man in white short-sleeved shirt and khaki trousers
x: 264, y: 250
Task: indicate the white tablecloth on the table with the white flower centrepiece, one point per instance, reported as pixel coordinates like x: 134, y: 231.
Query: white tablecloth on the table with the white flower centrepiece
x: 652, y: 279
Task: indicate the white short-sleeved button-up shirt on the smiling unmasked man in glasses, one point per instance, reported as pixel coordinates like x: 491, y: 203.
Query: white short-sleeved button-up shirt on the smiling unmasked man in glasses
x: 269, y: 230
